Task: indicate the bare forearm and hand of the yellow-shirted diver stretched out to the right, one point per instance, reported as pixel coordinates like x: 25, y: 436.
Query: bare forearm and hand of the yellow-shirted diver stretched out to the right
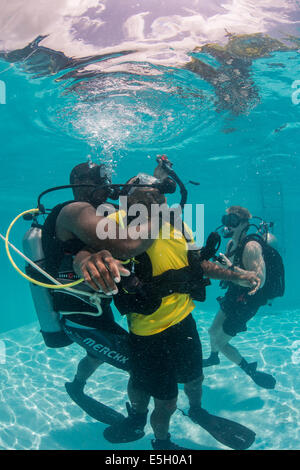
x: 245, y: 278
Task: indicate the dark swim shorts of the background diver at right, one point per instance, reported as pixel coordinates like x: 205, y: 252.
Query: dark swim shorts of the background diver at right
x: 239, y: 308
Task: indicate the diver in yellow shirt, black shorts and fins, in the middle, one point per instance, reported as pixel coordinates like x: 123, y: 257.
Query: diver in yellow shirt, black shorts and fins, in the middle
x: 164, y: 346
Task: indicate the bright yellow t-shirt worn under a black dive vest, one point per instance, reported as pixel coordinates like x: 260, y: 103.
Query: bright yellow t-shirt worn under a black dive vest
x: 165, y: 254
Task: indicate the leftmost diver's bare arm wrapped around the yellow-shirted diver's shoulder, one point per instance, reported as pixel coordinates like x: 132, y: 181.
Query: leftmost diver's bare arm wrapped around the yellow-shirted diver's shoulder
x: 80, y: 220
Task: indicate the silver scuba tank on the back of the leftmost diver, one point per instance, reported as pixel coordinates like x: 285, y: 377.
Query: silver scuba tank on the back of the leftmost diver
x: 51, y: 327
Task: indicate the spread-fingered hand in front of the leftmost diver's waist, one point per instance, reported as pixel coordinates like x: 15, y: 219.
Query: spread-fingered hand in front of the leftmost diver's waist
x: 102, y: 272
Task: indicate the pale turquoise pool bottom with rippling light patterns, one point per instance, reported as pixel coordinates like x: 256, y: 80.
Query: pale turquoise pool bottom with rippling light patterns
x: 36, y: 412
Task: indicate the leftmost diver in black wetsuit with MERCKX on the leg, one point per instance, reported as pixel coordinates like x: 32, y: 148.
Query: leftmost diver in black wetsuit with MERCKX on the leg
x: 67, y: 317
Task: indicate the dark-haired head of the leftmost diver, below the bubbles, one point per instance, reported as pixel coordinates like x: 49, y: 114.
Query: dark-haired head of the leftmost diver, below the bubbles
x: 95, y: 175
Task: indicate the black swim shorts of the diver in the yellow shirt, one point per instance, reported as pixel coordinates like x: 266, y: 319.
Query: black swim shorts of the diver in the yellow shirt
x: 159, y: 362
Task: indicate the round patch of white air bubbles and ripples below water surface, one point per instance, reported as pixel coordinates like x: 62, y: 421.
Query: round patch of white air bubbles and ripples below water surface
x: 119, y: 112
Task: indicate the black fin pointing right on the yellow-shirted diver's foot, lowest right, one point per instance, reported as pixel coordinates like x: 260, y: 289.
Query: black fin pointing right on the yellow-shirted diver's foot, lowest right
x: 231, y: 434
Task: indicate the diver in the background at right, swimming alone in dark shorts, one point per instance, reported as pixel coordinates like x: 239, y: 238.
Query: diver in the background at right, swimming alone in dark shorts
x: 237, y: 307
